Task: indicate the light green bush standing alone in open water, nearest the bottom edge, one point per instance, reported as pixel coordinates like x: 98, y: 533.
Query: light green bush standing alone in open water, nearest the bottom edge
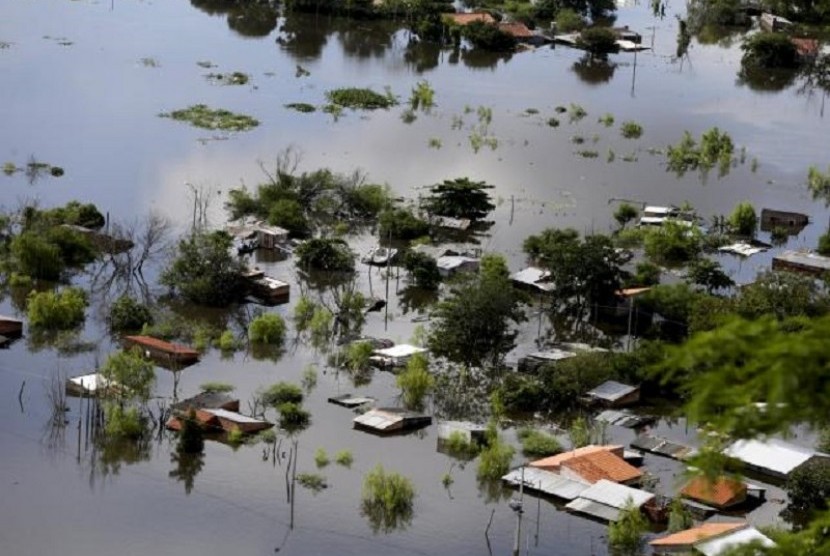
x: 387, y: 500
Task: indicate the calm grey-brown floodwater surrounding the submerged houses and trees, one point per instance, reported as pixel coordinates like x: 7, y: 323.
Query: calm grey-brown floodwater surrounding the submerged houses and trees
x: 82, y: 84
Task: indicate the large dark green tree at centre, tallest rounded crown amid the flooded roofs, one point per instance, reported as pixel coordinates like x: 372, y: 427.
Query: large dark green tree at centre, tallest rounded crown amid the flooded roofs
x: 474, y: 325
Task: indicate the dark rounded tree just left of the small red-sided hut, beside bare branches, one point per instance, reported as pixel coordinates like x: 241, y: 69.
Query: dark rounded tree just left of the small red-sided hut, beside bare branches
x: 204, y: 270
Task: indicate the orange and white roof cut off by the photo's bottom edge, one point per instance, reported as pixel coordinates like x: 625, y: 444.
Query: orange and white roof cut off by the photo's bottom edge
x: 710, y: 539
